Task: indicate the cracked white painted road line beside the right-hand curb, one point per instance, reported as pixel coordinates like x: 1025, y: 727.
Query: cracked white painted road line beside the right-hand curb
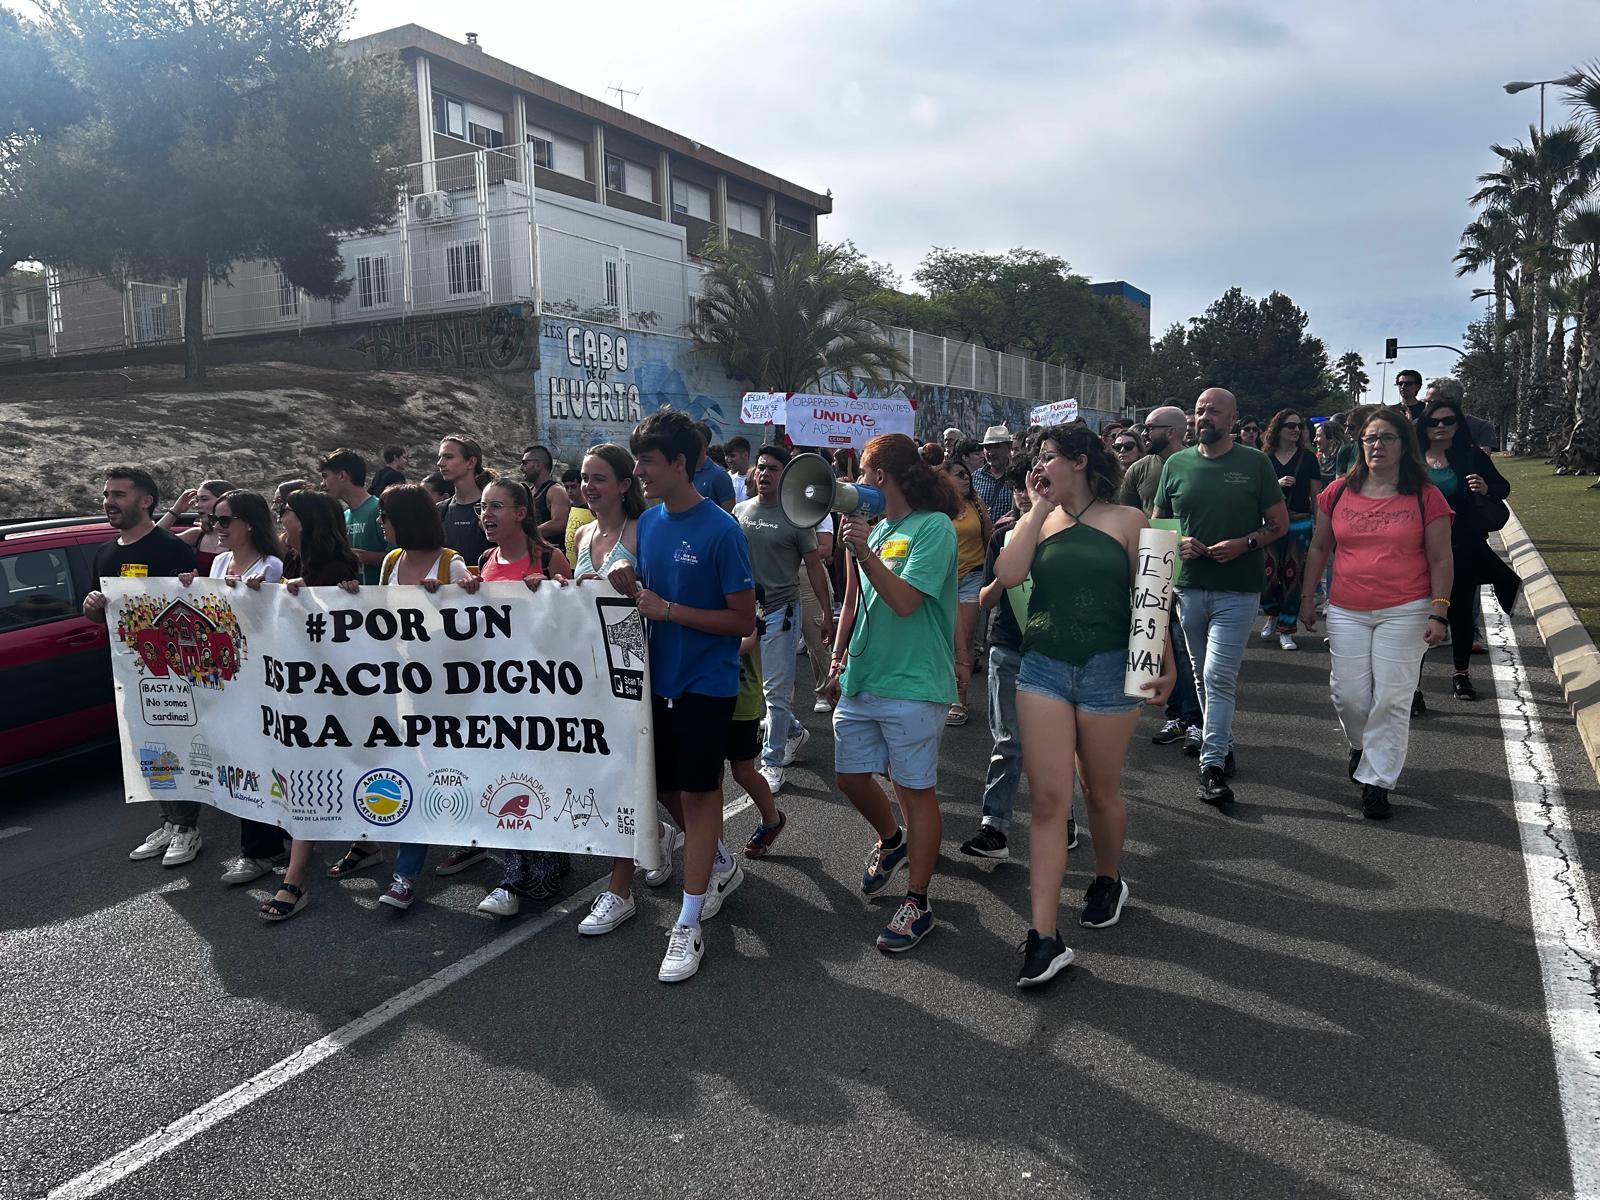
x: 1564, y: 921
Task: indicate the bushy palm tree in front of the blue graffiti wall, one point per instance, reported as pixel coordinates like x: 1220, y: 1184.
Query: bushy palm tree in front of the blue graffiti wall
x: 796, y: 319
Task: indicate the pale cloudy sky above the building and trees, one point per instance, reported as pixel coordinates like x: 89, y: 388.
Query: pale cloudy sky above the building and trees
x: 1322, y: 150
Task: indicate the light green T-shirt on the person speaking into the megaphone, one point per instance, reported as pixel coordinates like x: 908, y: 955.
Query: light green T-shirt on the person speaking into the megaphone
x: 908, y: 657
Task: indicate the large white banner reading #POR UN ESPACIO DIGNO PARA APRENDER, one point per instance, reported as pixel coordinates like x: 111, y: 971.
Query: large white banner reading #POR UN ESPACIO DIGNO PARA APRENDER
x: 503, y: 719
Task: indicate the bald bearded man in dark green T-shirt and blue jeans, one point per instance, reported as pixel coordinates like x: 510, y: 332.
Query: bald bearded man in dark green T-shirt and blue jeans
x: 1230, y: 506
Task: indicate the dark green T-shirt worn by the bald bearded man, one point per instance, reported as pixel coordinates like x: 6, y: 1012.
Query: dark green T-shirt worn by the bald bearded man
x: 1215, y: 500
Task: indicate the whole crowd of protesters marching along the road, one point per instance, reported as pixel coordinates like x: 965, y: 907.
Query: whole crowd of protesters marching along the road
x: 1007, y: 554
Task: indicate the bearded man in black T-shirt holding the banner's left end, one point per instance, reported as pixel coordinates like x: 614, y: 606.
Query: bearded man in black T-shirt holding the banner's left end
x: 145, y: 553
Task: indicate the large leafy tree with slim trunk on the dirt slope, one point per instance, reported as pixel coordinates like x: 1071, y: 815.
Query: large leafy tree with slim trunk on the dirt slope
x: 172, y: 138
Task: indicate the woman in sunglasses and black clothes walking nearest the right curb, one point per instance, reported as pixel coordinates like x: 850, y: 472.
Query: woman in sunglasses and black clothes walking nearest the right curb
x: 1468, y: 478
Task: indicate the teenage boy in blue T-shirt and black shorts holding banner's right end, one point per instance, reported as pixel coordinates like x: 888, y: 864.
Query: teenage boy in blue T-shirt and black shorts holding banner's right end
x: 694, y: 586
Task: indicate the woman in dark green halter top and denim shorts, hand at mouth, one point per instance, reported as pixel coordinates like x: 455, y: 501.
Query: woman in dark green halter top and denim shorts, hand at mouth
x: 1081, y: 551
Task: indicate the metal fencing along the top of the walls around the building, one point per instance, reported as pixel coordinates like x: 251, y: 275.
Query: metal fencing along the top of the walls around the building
x: 466, y: 238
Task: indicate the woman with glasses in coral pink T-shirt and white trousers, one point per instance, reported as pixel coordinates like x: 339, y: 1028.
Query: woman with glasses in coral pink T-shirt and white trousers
x: 1388, y: 530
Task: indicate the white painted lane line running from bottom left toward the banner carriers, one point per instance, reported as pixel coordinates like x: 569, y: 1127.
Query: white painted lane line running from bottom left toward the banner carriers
x: 215, y: 1111
